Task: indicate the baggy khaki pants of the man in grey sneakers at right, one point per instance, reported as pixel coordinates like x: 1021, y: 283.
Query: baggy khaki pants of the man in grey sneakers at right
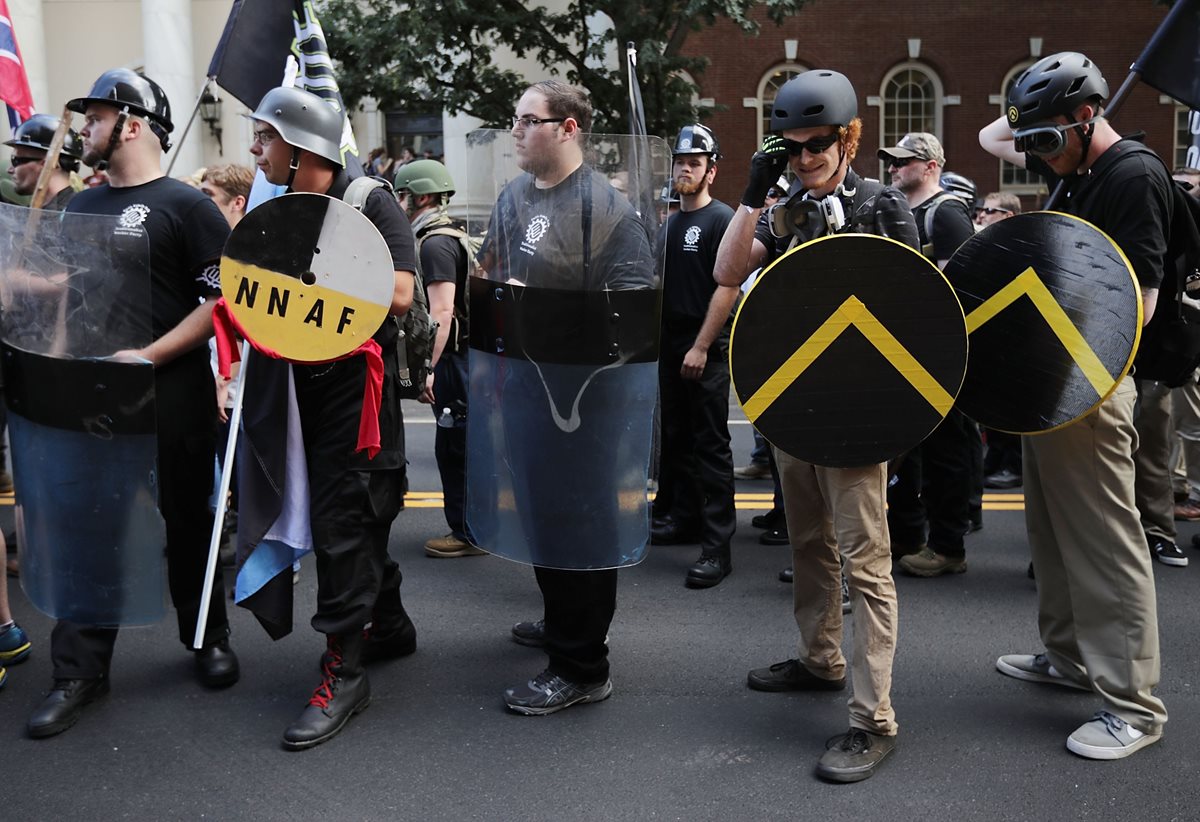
x: 1096, y: 585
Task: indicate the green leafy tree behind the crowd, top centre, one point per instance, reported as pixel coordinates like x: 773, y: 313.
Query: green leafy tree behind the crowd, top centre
x: 435, y: 55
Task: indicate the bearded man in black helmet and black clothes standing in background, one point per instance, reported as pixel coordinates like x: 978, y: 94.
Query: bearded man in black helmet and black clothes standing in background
x: 694, y: 374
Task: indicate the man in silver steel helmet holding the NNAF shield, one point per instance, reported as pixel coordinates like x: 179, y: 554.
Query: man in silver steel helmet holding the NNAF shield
x: 353, y: 497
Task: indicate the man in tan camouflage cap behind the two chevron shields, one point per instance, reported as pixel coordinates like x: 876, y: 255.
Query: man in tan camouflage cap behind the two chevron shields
x: 934, y: 481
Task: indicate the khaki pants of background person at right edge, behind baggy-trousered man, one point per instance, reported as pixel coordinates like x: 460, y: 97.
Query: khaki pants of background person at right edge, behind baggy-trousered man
x: 1153, y: 485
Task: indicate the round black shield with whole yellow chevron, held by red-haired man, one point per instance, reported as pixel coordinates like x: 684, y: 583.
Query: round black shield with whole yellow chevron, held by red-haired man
x: 849, y: 351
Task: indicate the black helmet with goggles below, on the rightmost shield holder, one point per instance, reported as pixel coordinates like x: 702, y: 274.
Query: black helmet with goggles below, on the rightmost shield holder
x: 1052, y: 87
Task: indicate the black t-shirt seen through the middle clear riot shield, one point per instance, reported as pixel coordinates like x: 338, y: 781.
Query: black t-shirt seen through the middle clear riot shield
x: 581, y: 235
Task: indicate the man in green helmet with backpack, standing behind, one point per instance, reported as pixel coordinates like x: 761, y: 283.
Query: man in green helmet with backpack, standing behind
x: 424, y: 188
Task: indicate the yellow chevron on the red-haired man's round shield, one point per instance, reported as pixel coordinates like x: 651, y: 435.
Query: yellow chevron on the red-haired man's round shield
x: 851, y: 314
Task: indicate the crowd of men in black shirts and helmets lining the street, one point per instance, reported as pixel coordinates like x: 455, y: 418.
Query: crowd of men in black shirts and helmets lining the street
x: 847, y: 525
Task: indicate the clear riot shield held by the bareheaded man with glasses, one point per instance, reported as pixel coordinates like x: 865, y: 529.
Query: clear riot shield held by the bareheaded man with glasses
x: 565, y: 327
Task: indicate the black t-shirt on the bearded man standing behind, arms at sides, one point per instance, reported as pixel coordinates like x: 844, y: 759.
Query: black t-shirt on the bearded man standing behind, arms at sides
x: 692, y: 239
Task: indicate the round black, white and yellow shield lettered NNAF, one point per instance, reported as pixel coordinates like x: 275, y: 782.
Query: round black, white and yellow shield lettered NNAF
x: 308, y: 278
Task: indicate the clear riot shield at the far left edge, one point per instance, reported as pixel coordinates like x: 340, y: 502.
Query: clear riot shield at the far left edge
x: 76, y: 290
